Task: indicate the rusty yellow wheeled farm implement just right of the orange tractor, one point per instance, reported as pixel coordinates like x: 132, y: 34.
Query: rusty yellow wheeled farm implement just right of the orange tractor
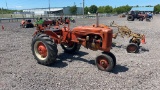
x: 134, y: 42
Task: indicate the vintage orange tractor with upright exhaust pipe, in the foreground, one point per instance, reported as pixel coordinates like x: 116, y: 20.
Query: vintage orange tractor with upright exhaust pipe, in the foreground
x: 45, y: 40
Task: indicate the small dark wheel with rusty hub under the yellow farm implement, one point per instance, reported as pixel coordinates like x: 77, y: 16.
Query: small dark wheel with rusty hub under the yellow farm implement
x: 132, y: 48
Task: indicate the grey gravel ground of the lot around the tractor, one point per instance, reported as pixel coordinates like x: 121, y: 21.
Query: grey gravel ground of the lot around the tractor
x: 20, y: 71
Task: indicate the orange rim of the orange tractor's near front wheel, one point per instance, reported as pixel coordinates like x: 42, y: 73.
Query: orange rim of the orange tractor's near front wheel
x: 102, y: 63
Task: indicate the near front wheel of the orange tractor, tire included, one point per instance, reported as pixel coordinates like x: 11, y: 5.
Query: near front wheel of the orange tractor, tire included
x: 104, y: 62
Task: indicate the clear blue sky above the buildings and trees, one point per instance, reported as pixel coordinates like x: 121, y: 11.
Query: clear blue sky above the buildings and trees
x: 28, y: 4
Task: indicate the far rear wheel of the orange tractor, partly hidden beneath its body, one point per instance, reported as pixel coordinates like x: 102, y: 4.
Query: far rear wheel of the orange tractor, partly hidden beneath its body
x: 72, y: 47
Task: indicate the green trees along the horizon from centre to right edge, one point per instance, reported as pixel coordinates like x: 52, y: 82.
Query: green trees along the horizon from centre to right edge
x: 110, y: 9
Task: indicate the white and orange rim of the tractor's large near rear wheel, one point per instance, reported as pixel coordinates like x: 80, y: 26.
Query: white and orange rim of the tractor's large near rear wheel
x: 40, y: 50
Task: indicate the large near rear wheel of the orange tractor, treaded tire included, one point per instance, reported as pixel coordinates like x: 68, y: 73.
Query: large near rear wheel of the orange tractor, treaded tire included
x: 44, y: 49
